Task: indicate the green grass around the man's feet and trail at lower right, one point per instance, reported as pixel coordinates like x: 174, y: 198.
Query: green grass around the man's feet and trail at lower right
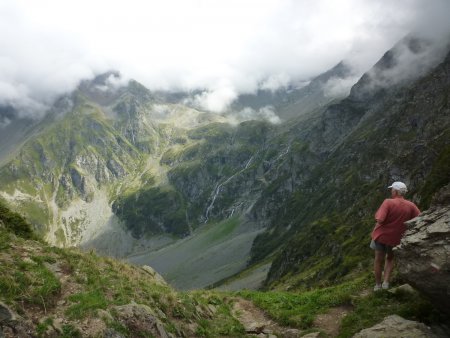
x: 299, y: 309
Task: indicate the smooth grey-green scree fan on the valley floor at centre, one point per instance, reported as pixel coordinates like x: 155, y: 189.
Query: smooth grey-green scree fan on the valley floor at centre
x: 212, y: 253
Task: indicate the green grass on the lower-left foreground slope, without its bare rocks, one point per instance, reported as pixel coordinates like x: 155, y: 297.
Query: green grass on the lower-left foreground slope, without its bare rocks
x: 102, y: 283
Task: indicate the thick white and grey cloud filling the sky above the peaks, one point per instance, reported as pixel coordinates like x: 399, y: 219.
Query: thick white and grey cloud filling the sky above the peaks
x: 227, y: 47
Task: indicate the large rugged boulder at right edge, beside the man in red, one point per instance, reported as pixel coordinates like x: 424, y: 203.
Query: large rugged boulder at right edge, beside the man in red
x: 424, y: 255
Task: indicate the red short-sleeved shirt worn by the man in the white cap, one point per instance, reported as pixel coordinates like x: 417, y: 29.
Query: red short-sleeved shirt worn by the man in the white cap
x: 391, y: 218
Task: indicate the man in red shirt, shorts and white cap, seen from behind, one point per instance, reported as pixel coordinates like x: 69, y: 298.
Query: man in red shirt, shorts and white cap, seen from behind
x: 388, y: 231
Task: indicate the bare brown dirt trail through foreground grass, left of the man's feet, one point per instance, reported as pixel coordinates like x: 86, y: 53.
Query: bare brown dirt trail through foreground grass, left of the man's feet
x: 258, y: 324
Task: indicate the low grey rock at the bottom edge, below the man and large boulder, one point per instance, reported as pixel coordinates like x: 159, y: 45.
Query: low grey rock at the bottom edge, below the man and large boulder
x: 395, y: 326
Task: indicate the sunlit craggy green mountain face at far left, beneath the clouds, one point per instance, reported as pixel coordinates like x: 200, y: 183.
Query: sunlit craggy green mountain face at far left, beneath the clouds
x: 68, y: 163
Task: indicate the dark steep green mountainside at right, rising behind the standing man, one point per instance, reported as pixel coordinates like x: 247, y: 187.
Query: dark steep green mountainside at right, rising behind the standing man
x: 405, y: 136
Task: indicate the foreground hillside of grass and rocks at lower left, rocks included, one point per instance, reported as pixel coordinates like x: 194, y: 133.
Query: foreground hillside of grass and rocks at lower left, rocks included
x: 50, y: 292
